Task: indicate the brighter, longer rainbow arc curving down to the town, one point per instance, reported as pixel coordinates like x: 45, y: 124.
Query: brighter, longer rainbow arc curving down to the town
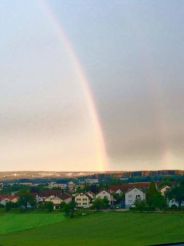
x: 101, y: 153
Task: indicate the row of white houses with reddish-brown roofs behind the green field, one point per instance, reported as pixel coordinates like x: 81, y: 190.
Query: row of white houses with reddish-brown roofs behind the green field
x: 132, y: 192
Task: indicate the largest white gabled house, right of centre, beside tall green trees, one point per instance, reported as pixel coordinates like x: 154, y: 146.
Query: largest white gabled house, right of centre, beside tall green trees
x: 132, y: 195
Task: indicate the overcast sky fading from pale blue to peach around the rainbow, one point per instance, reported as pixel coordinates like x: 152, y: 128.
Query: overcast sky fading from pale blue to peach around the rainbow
x: 132, y: 53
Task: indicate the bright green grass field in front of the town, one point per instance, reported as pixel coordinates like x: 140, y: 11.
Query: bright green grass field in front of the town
x: 101, y: 229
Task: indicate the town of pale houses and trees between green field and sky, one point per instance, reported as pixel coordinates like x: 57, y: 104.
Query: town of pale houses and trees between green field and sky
x: 97, y: 192
